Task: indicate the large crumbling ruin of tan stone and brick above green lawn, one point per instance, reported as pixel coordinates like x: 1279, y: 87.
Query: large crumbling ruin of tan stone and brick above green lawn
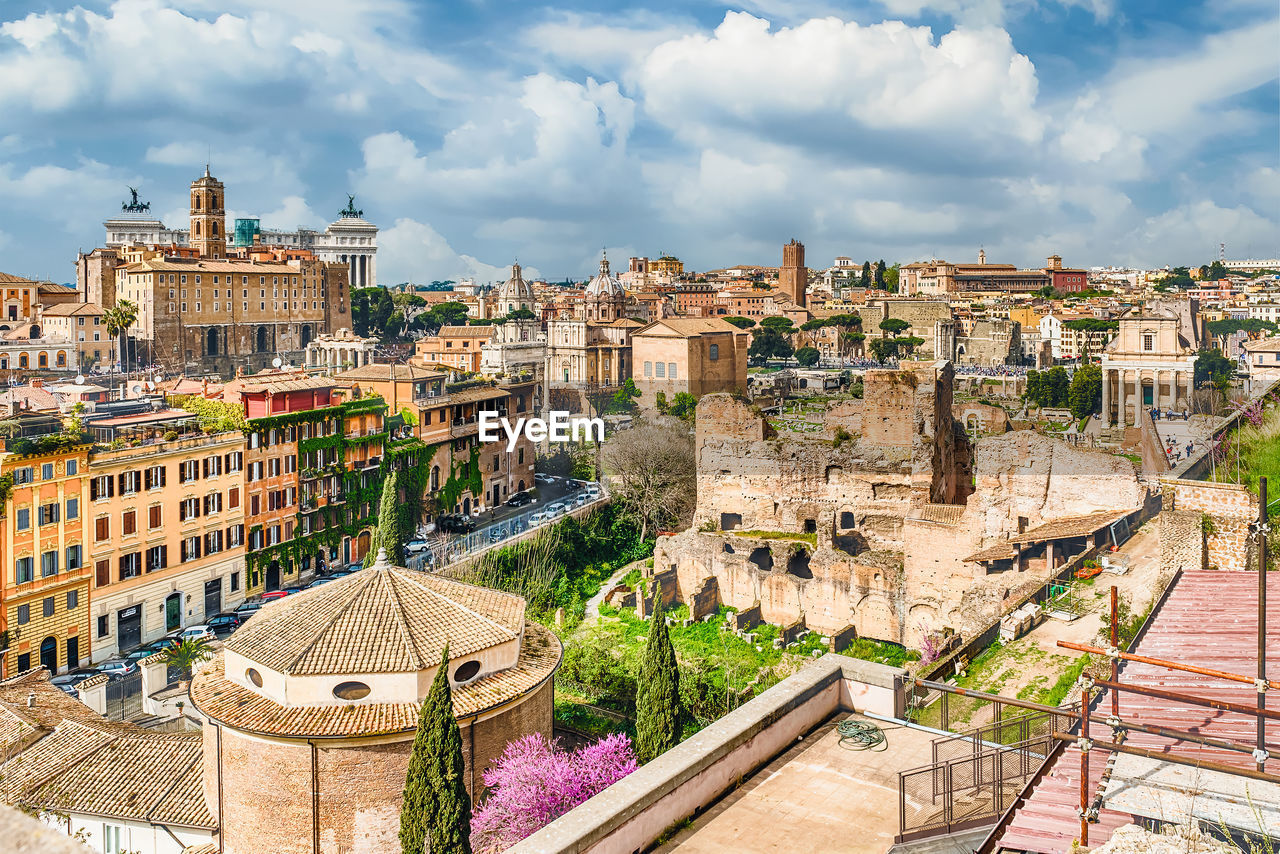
x: 889, y: 510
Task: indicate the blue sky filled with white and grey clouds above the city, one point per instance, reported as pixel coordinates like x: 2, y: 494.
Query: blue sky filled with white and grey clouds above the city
x: 482, y: 133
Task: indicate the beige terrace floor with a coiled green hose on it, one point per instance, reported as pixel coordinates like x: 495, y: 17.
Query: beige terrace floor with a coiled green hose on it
x: 817, y: 797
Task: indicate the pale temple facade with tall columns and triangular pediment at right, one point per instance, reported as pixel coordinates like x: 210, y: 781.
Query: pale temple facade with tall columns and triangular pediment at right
x: 1151, y: 364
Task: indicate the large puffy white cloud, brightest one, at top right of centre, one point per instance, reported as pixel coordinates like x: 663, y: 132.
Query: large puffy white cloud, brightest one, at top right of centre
x: 829, y: 77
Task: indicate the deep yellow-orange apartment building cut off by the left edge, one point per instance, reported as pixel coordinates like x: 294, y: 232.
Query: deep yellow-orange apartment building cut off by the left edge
x: 44, y: 597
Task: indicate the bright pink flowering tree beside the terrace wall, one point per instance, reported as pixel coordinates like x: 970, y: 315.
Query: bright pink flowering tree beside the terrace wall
x: 536, y: 782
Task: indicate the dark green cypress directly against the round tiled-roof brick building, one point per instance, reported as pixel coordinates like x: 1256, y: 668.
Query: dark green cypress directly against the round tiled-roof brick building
x: 437, y: 810
